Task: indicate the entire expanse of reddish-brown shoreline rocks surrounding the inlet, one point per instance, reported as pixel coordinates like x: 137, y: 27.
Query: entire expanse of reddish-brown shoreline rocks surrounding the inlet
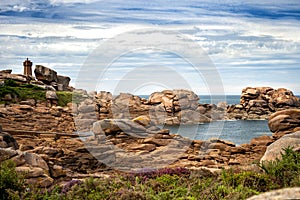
x: 126, y: 135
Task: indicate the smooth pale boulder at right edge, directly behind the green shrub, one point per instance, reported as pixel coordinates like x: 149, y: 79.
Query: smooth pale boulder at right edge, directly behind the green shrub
x: 275, y: 150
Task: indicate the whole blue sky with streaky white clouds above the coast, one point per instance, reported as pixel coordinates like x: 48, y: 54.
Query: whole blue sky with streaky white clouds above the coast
x: 230, y: 45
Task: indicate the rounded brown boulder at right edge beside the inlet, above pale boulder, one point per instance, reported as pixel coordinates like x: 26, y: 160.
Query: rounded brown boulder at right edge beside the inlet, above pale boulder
x: 285, y: 120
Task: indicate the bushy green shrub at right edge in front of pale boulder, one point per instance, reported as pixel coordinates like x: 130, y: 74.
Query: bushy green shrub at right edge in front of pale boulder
x: 284, y: 171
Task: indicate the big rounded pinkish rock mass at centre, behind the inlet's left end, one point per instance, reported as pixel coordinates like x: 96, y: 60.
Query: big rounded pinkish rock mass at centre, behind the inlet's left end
x: 173, y: 107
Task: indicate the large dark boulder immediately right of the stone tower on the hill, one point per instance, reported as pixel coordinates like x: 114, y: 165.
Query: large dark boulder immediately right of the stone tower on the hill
x: 45, y: 74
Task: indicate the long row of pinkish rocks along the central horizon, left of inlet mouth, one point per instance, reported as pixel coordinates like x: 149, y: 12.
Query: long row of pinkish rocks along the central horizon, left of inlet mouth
x: 171, y: 107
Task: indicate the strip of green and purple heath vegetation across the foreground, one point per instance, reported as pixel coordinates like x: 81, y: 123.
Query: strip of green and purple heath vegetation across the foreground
x: 174, y: 183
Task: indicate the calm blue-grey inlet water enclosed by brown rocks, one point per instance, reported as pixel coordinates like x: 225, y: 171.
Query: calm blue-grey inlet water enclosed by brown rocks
x: 236, y: 131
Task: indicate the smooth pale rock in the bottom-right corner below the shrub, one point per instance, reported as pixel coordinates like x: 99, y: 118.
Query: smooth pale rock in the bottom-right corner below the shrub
x: 286, y: 193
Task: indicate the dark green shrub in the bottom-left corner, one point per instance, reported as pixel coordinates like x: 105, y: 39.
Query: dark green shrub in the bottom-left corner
x: 11, y: 184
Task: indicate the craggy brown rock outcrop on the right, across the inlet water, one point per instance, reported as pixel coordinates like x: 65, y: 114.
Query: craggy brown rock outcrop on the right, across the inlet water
x: 260, y: 102
